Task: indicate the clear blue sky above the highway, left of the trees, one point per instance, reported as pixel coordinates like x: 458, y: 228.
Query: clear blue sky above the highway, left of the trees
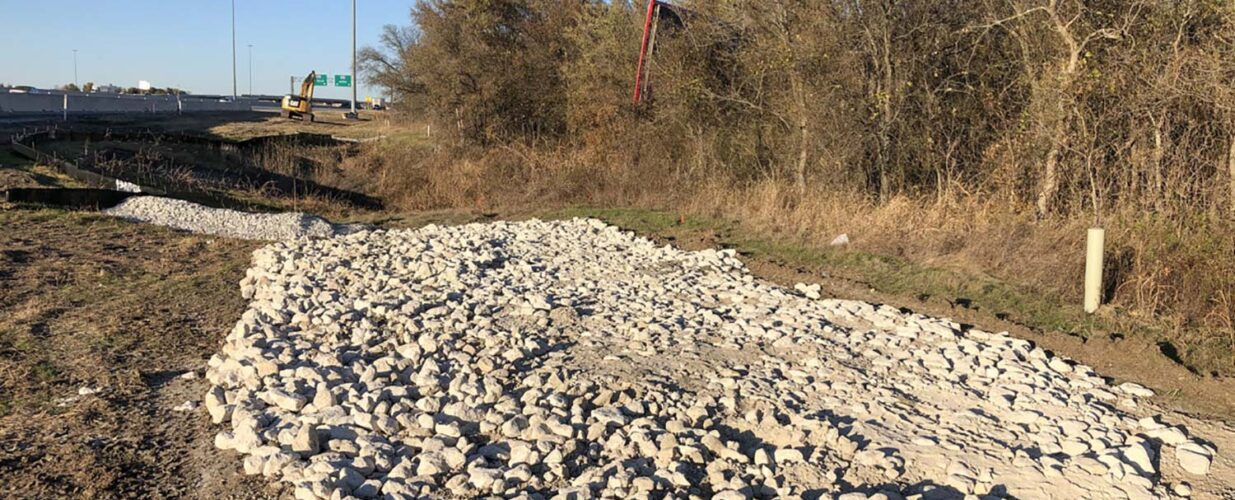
x: 187, y: 44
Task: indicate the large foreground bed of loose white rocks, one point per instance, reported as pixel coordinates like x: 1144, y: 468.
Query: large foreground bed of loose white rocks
x: 571, y: 360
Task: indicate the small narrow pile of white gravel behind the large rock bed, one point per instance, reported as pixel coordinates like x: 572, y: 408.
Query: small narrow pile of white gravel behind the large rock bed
x: 191, y: 217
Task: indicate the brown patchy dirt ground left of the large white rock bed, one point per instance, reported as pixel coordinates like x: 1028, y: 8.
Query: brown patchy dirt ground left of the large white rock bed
x: 90, y: 302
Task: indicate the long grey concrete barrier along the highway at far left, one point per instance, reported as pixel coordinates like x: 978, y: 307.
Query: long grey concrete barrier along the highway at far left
x: 86, y: 104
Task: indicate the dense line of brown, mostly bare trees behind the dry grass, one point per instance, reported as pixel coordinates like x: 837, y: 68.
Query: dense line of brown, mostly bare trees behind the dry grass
x: 1065, y: 108
